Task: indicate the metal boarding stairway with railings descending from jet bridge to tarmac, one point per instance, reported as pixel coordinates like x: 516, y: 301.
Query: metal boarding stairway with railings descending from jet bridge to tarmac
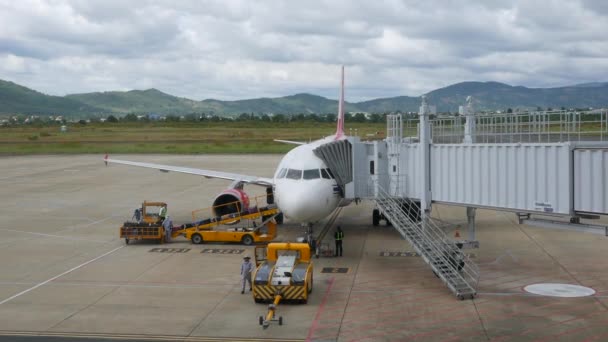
x: 445, y: 256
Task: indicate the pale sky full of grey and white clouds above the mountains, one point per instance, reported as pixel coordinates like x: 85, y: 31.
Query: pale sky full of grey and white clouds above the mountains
x: 245, y: 49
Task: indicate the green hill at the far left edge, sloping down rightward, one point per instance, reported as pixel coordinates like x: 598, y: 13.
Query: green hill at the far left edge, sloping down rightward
x: 15, y: 99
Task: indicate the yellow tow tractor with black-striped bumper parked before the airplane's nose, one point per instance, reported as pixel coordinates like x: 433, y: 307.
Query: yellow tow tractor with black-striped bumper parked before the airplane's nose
x: 283, y: 274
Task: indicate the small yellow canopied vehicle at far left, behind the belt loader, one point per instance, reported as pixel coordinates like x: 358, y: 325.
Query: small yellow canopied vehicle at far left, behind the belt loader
x: 147, y: 225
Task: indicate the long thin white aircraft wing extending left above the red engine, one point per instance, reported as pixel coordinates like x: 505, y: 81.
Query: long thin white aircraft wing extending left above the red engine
x: 199, y: 172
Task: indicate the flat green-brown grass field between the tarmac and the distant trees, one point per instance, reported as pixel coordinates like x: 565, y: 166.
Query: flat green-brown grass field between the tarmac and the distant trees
x: 180, y: 138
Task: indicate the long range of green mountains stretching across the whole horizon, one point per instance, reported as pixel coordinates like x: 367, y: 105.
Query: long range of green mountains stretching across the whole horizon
x: 487, y: 96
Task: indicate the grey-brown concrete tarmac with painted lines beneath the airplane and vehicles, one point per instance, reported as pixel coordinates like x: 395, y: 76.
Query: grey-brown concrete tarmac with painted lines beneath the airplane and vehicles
x: 66, y: 275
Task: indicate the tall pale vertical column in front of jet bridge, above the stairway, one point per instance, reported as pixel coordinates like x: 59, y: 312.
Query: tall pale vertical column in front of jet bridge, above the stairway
x: 425, y: 160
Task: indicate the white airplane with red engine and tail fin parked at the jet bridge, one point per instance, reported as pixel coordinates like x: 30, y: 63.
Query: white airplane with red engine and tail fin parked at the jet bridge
x: 303, y: 187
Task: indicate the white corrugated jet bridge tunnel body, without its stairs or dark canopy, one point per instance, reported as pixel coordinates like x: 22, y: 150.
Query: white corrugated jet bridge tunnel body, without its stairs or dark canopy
x: 555, y: 178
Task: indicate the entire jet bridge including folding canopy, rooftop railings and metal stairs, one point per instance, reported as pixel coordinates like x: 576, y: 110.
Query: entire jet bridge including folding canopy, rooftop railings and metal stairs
x: 543, y: 164
